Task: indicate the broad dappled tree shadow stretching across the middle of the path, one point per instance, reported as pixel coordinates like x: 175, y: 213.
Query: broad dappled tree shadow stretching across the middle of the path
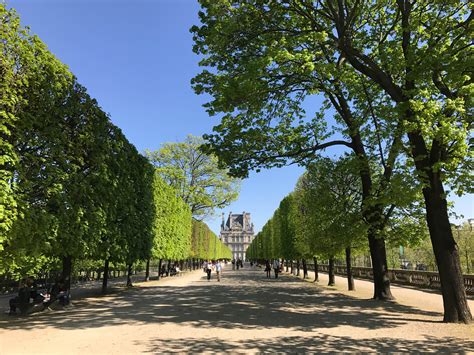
x: 246, y: 301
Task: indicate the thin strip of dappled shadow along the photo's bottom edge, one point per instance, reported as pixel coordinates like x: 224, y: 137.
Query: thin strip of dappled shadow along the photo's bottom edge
x: 318, y: 343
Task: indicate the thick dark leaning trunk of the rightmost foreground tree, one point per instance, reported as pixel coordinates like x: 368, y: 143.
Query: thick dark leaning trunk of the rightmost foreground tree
x: 456, y: 308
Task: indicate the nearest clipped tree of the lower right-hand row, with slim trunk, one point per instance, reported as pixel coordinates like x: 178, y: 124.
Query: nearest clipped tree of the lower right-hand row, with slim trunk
x: 328, y: 210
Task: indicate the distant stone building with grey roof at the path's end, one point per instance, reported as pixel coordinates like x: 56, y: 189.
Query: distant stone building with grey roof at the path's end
x: 237, y: 233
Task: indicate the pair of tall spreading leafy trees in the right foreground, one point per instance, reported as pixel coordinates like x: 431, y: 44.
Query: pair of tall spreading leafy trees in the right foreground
x: 396, y: 80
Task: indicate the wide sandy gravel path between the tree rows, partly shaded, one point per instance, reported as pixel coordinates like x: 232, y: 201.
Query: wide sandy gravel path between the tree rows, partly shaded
x: 245, y: 312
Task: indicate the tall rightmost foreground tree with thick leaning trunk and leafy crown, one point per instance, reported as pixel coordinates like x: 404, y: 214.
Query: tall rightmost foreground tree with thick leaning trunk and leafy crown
x: 420, y: 54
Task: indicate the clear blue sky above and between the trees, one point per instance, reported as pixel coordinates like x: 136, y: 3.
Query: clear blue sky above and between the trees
x: 136, y: 59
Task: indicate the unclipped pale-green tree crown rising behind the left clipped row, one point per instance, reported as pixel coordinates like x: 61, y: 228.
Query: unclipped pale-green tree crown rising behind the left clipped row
x: 195, y: 175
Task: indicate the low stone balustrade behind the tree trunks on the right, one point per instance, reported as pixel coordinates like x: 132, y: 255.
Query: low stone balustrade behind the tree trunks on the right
x: 422, y: 279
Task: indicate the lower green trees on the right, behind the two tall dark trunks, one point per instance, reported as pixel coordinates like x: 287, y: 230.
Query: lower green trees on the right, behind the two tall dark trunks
x: 321, y: 220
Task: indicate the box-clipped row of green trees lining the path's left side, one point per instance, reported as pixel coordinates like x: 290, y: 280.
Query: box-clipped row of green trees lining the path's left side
x: 72, y: 186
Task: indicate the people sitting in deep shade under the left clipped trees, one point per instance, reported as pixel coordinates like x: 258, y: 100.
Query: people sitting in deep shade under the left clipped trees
x: 28, y: 295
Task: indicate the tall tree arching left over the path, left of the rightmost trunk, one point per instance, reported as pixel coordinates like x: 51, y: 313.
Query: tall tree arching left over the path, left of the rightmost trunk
x: 265, y: 72
